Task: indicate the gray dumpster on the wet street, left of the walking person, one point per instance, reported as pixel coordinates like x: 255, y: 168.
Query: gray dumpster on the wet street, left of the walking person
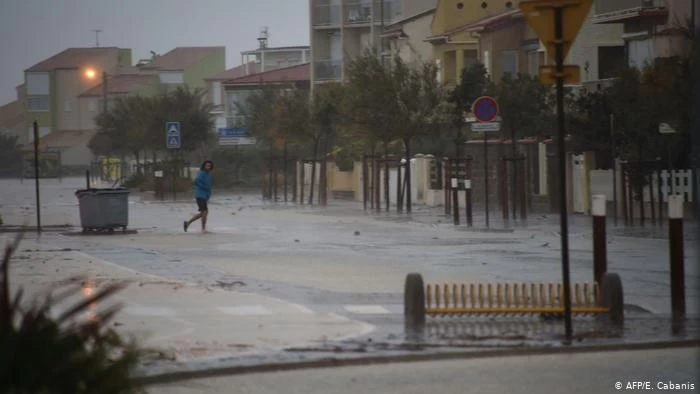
x: 103, y: 209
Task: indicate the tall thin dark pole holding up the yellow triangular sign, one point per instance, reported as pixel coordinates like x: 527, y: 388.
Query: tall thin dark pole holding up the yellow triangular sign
x: 563, y: 218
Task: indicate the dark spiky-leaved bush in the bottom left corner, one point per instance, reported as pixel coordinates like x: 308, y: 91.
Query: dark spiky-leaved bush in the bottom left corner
x: 41, y: 354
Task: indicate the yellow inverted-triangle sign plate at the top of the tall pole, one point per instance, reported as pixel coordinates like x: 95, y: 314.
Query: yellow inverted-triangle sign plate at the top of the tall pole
x: 540, y: 16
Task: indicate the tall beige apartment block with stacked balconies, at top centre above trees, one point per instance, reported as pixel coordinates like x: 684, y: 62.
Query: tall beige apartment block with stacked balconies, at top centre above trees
x: 342, y: 29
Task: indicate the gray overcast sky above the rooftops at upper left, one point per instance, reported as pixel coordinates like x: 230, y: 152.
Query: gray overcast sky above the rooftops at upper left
x: 33, y: 30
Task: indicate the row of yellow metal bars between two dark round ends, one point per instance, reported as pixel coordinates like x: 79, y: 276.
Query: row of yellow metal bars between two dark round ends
x: 510, y: 298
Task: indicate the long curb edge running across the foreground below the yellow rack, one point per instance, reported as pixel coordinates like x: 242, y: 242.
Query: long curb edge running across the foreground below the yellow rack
x: 329, y: 362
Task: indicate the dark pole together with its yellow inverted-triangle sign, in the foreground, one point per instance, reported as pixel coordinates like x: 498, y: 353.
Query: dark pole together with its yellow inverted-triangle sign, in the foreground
x: 556, y: 23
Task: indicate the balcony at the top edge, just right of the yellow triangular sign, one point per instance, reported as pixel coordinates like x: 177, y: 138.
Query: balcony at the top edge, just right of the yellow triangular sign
x: 616, y: 11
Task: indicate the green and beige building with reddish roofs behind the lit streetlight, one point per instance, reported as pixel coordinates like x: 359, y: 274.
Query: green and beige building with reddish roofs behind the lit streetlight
x: 64, y: 93
